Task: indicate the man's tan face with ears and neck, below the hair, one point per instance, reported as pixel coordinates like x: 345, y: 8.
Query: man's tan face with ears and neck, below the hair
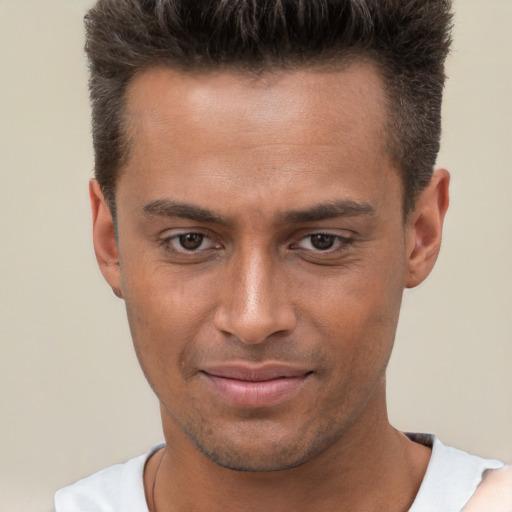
x: 300, y: 261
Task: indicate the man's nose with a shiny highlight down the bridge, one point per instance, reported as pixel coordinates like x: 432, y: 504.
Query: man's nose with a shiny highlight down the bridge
x: 253, y: 302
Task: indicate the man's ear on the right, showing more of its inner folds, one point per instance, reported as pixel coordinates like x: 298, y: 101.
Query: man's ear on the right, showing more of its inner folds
x: 425, y: 227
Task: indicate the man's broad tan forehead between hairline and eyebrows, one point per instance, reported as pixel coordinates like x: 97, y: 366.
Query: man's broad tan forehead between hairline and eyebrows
x: 290, y: 134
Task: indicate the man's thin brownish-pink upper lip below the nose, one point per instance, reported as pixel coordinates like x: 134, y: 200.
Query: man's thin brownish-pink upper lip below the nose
x: 255, y: 373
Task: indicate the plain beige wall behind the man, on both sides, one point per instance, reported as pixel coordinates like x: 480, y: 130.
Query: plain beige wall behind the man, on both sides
x: 73, y: 399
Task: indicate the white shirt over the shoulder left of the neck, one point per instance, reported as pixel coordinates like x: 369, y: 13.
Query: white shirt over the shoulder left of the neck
x: 116, y: 488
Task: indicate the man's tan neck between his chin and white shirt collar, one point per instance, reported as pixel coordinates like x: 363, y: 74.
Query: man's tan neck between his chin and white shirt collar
x: 372, y: 467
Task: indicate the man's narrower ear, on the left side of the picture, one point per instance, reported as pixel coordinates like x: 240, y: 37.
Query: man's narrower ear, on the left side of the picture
x: 104, y: 238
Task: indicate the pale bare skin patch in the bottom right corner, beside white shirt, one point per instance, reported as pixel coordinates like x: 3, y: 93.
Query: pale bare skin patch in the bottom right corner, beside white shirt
x: 494, y: 494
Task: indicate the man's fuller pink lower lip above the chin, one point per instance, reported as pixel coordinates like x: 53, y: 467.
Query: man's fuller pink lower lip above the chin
x: 245, y: 393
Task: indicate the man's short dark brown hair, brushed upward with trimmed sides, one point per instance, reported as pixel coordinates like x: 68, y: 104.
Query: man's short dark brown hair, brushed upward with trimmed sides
x: 407, y: 39
